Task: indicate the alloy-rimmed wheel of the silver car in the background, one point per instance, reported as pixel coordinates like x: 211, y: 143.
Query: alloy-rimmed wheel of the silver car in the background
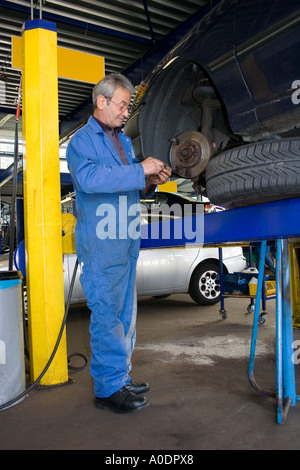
x: 204, y: 286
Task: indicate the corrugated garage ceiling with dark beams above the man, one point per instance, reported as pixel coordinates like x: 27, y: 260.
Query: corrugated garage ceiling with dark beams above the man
x: 132, y: 36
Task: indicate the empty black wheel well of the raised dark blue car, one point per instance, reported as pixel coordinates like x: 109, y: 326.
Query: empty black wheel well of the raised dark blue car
x: 174, y: 105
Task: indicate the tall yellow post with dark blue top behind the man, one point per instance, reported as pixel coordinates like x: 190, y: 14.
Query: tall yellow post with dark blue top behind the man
x: 42, y: 209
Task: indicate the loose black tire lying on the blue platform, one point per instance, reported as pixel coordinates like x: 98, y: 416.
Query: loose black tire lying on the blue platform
x: 255, y: 173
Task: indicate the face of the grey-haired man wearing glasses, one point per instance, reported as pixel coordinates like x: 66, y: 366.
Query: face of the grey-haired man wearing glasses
x: 113, y: 112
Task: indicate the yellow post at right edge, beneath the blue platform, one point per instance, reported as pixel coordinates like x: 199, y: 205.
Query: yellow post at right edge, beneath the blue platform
x: 294, y: 256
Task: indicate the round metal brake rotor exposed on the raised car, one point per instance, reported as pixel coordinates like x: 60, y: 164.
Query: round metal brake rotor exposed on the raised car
x: 189, y: 154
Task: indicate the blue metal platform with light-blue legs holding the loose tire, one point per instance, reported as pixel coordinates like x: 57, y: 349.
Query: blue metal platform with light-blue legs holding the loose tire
x: 274, y: 221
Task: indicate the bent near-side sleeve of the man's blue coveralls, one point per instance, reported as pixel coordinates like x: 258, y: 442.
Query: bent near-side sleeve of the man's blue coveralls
x: 91, y: 176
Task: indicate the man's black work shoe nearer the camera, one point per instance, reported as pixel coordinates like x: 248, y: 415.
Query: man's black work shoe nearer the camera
x: 122, y: 401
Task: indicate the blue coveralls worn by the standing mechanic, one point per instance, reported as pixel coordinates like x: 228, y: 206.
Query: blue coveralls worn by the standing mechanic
x: 108, y: 262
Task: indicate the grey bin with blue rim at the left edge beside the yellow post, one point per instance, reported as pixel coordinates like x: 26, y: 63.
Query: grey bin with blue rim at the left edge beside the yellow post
x: 12, y: 363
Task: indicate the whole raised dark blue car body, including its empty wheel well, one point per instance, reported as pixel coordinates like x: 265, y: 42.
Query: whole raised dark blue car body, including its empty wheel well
x: 243, y: 57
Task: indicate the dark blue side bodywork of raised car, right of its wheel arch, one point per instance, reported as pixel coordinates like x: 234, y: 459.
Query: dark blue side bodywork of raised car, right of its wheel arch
x: 251, y: 52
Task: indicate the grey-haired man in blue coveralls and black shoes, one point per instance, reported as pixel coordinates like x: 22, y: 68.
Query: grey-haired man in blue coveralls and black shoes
x: 105, y: 172
